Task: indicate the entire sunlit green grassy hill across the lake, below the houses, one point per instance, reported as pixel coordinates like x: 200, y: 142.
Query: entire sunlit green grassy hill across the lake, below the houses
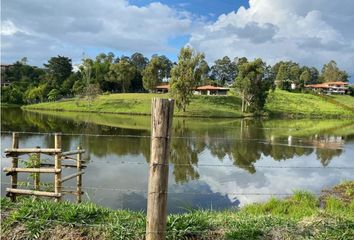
x: 279, y: 103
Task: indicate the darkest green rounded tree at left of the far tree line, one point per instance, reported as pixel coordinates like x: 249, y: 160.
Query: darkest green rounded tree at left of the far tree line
x: 58, y: 69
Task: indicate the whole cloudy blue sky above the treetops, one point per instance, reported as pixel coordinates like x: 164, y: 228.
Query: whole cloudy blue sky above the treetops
x: 309, y: 32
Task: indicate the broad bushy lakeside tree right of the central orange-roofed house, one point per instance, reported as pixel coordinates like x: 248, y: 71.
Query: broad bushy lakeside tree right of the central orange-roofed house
x: 253, y: 84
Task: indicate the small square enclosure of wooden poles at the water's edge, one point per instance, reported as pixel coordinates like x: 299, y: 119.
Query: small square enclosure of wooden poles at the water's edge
x: 38, y: 168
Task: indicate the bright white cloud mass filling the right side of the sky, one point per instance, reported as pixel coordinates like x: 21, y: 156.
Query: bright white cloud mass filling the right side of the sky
x: 310, y: 32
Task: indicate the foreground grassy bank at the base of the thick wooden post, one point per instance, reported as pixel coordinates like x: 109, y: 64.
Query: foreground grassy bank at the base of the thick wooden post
x: 302, y: 216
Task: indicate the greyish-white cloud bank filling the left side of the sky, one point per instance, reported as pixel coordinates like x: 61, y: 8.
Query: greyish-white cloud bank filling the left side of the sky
x: 40, y: 29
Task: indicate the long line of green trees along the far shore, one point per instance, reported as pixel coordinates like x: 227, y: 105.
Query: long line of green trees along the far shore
x: 136, y: 73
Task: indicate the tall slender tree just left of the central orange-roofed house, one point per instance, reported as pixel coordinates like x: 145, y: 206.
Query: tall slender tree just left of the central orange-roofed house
x: 185, y: 76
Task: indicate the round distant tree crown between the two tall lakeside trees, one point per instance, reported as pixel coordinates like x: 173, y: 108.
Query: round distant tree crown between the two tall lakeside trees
x: 223, y: 71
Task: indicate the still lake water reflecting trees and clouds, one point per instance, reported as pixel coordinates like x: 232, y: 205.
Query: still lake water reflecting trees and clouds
x: 214, y: 163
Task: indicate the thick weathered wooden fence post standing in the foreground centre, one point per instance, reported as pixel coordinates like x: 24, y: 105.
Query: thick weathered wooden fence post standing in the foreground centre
x: 161, y: 123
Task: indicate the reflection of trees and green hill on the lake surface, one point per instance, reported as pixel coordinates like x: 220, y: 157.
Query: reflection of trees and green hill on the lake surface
x: 244, y: 142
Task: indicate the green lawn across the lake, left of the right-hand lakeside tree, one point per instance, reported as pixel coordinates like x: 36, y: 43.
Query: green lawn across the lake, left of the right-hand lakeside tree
x: 140, y: 103
